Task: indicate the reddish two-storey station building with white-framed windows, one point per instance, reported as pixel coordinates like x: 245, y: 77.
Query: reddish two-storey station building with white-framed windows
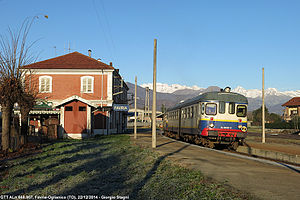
x: 87, y: 96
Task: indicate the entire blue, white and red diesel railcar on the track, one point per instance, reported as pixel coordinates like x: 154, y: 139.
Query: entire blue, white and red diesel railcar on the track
x: 210, y: 119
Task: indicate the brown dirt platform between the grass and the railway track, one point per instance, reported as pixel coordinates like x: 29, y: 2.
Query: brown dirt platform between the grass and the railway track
x: 264, y: 181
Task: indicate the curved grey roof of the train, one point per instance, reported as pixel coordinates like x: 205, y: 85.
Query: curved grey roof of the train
x: 211, y: 96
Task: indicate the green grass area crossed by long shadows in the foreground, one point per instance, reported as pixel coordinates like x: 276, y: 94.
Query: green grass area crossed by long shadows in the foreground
x: 107, y: 166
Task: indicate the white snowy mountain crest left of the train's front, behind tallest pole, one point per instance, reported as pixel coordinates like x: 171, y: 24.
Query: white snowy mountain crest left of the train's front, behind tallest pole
x: 165, y: 88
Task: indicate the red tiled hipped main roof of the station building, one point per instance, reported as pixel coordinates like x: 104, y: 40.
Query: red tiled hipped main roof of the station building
x: 73, y: 60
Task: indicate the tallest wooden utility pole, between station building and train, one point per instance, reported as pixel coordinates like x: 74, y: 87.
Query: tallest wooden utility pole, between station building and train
x: 154, y: 98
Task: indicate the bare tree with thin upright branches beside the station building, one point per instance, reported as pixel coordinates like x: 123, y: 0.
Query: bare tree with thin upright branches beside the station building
x: 15, y: 53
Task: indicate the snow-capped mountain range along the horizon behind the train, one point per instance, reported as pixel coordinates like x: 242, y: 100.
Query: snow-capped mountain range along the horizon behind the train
x: 169, y: 95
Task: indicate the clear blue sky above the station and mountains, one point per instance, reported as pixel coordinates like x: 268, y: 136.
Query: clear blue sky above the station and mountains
x: 199, y: 42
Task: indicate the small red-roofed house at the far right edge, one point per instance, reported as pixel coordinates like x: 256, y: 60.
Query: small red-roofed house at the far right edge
x: 292, y: 108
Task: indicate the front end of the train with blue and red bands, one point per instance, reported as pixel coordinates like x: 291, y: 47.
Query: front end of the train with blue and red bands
x: 223, y: 119
